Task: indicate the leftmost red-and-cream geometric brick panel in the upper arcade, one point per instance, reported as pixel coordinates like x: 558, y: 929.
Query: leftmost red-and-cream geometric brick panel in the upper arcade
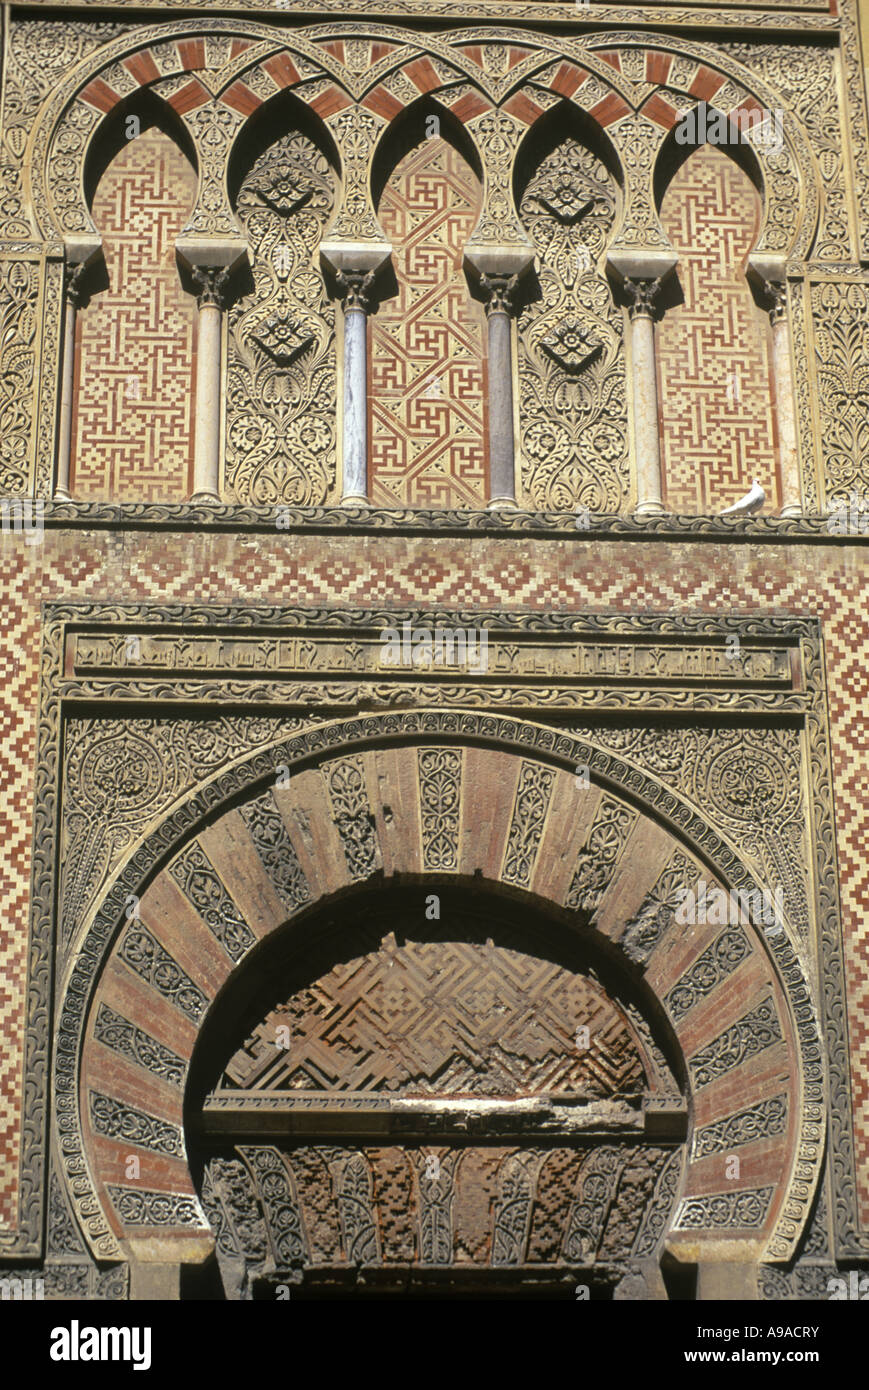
x: 133, y: 434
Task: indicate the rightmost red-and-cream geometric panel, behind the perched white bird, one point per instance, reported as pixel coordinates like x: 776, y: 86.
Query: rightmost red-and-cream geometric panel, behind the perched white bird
x: 713, y: 212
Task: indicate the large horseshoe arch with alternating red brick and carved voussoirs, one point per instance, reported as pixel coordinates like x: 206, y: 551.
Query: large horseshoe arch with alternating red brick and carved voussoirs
x: 736, y: 997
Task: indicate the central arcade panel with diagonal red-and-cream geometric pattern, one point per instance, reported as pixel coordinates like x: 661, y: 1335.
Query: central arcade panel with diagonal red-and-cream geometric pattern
x: 428, y: 401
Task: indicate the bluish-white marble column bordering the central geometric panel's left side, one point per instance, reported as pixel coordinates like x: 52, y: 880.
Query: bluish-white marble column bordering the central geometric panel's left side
x: 355, y: 288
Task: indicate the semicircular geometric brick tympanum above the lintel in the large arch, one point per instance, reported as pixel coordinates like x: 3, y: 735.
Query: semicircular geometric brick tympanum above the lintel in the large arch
x: 444, y: 1018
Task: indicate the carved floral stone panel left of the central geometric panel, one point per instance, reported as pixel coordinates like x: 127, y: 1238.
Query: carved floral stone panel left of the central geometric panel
x: 282, y: 337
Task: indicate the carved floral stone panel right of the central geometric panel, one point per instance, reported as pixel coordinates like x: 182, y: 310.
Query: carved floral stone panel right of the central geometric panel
x: 574, y: 407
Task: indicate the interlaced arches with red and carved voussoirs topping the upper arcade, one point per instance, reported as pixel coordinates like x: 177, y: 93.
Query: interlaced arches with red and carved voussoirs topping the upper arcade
x: 403, y: 70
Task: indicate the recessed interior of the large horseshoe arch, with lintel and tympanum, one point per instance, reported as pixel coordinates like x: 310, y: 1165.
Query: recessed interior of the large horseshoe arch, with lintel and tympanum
x: 432, y: 1088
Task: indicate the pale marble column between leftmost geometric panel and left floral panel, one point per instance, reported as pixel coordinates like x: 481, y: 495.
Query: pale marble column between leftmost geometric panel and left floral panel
x: 211, y: 281
